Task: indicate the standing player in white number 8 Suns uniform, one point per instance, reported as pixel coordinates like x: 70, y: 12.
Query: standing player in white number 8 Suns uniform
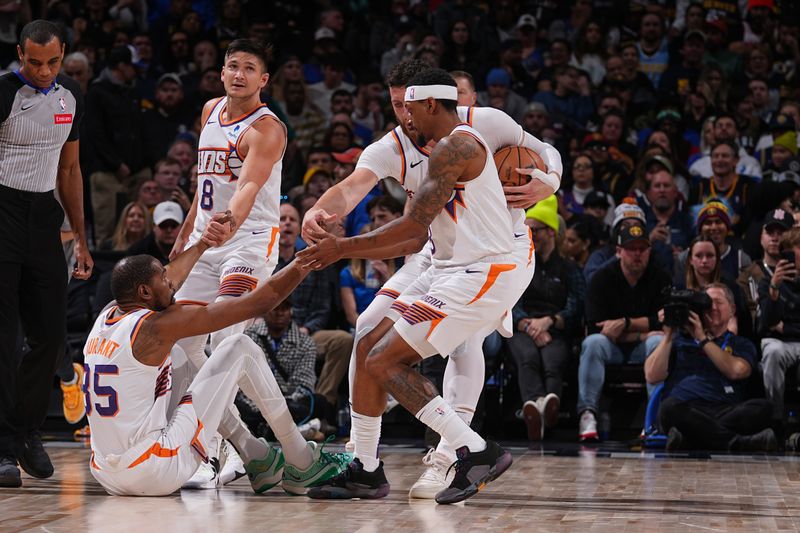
x: 238, y: 169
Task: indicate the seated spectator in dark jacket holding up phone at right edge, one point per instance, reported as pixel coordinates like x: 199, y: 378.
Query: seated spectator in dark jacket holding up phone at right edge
x: 779, y: 320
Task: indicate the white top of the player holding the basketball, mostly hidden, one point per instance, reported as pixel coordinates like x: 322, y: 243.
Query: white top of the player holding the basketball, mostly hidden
x: 397, y: 156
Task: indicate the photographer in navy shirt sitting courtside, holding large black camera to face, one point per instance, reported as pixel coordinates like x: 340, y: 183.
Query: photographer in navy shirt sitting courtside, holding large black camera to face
x: 704, y: 368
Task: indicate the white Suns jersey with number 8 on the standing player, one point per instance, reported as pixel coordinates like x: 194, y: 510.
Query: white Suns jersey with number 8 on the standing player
x: 218, y: 167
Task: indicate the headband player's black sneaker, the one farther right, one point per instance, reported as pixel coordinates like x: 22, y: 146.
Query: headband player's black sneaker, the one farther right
x: 473, y: 471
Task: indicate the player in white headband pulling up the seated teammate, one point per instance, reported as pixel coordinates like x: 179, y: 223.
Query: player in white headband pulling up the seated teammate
x: 478, y: 273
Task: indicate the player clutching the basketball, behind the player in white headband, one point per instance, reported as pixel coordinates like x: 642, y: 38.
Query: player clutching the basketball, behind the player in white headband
x: 397, y: 155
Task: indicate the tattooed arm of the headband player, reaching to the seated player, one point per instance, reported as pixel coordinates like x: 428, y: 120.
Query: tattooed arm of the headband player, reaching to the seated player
x: 452, y: 160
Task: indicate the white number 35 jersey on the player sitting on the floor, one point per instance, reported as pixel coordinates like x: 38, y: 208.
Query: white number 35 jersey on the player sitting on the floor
x: 126, y: 401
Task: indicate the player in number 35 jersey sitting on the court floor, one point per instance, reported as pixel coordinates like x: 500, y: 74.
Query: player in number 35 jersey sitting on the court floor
x: 151, y: 422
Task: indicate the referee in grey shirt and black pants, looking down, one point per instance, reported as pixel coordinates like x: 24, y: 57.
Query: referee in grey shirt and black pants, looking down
x: 40, y: 114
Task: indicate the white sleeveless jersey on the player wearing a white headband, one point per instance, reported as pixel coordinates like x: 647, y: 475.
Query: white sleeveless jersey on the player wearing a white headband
x: 475, y: 223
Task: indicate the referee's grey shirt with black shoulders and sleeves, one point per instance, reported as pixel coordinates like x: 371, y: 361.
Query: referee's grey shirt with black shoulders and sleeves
x: 34, y: 125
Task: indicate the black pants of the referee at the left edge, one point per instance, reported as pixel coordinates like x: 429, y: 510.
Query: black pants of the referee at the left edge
x: 33, y: 291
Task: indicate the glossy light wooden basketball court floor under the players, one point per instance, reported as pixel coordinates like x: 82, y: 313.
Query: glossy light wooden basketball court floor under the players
x: 587, y: 491
